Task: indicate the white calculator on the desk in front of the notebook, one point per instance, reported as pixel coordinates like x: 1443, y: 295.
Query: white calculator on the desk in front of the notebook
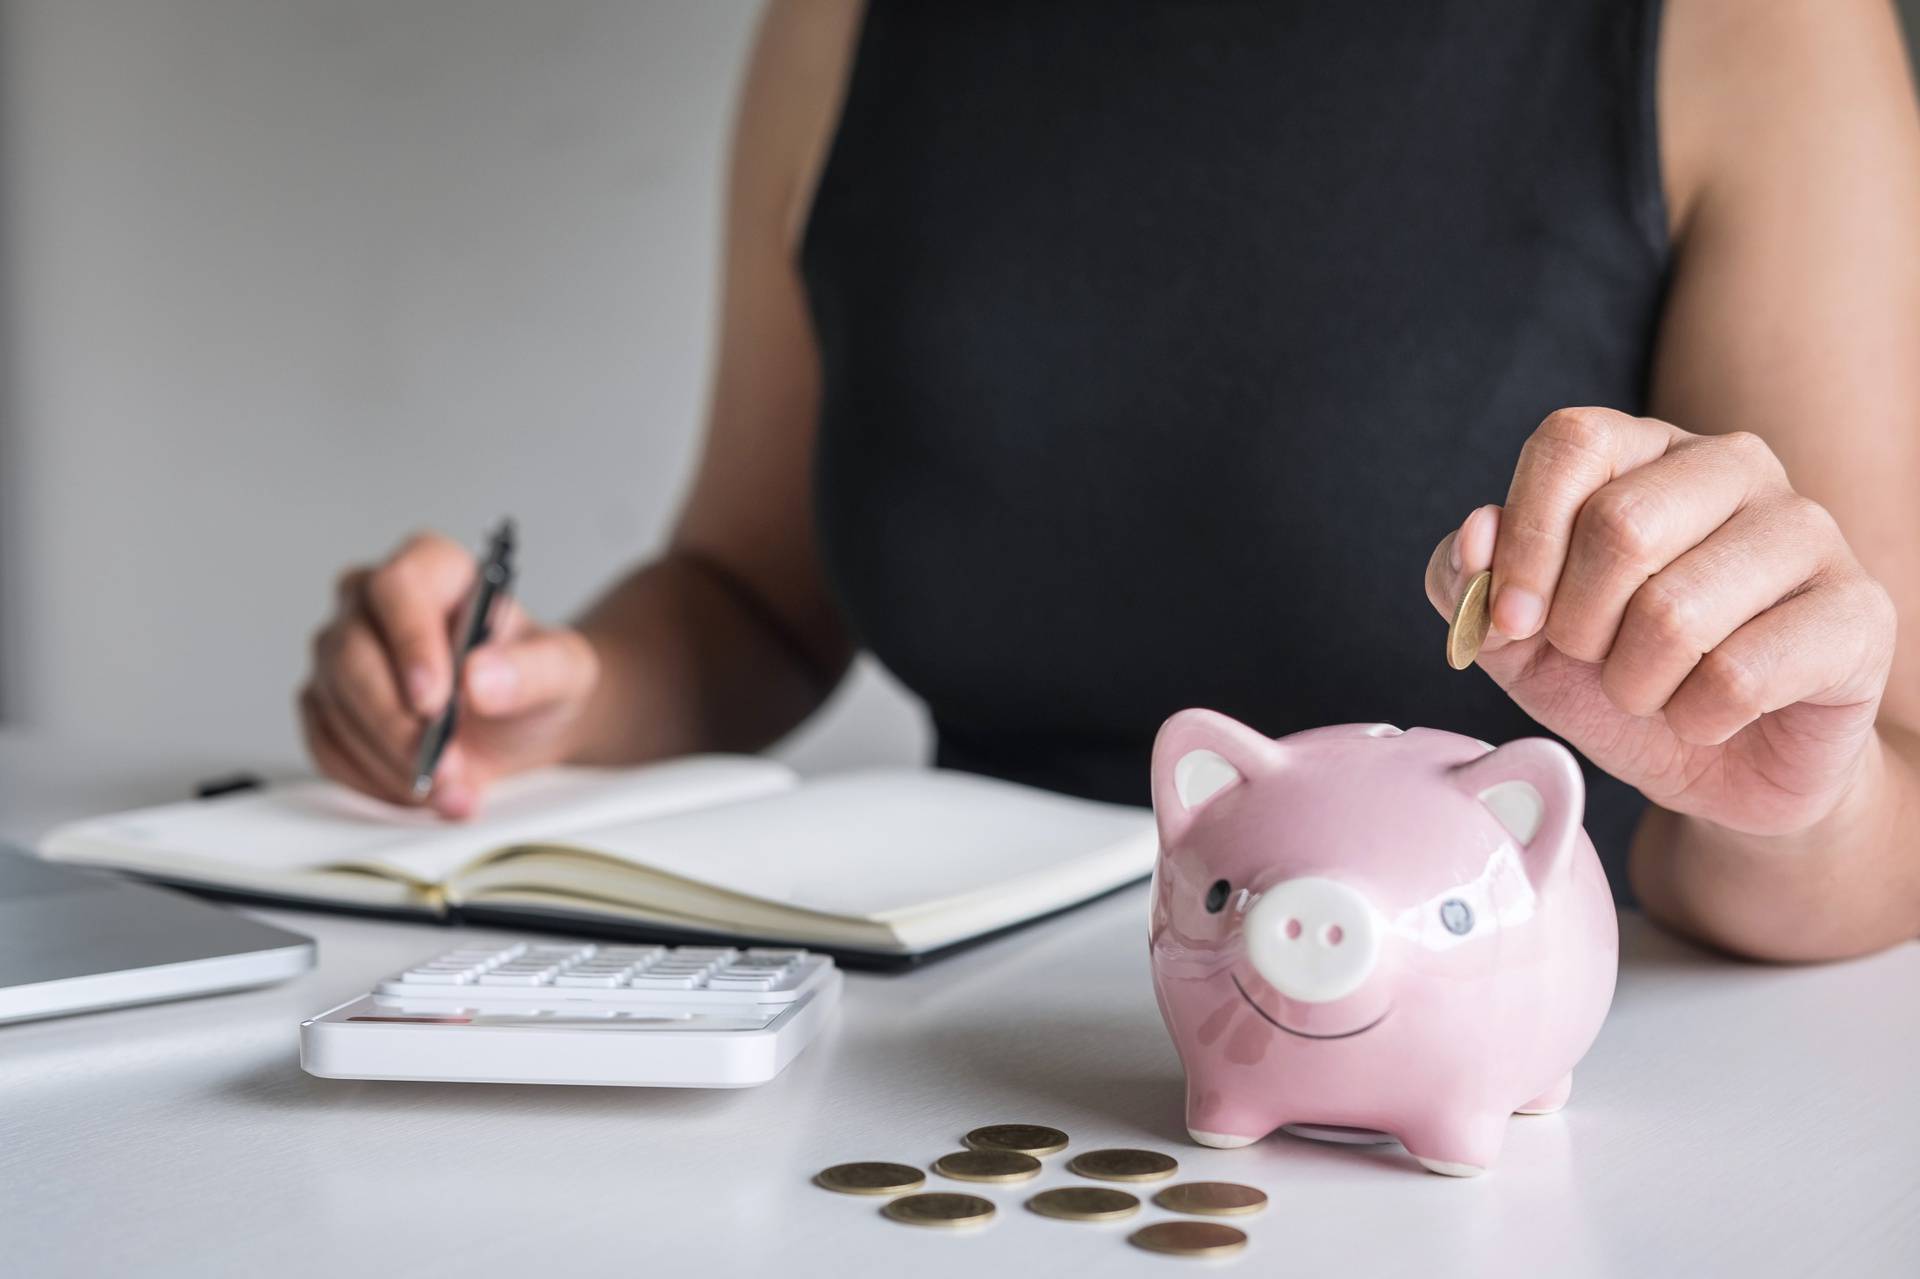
x: 661, y: 1017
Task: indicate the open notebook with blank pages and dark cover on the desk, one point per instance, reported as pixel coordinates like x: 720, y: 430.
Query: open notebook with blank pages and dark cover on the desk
x: 886, y: 865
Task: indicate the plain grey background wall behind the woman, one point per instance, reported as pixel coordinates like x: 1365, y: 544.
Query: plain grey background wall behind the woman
x: 285, y: 279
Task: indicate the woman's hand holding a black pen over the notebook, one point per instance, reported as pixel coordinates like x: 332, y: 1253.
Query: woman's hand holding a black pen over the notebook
x: 383, y: 667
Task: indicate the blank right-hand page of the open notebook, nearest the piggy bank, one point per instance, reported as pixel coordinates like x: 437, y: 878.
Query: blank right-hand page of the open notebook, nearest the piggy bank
x: 875, y: 844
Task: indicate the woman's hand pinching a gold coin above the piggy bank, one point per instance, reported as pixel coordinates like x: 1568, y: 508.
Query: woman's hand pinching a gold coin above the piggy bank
x: 1673, y: 610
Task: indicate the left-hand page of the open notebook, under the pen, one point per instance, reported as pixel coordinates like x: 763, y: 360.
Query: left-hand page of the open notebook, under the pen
x: 318, y: 825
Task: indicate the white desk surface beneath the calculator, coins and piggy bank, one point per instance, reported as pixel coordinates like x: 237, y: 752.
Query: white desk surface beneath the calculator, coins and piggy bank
x: 1733, y: 1121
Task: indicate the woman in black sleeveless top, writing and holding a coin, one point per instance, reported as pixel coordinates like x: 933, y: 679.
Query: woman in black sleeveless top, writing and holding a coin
x: 1097, y: 360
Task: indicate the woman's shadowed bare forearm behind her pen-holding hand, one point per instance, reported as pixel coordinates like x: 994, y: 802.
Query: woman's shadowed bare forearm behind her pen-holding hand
x: 690, y: 660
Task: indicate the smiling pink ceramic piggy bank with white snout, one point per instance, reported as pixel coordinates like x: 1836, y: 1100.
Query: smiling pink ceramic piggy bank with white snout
x: 1356, y: 927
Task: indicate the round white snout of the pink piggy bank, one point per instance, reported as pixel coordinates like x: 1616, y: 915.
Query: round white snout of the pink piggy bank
x: 1312, y: 940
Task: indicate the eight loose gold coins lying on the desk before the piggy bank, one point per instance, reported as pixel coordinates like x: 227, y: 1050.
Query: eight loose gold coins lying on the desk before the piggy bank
x: 1011, y: 1153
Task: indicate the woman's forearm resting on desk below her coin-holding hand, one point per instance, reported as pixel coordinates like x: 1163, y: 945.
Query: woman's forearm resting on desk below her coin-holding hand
x: 1846, y: 886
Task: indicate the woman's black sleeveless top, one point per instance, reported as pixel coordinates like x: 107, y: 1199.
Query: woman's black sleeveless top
x: 1164, y: 339
